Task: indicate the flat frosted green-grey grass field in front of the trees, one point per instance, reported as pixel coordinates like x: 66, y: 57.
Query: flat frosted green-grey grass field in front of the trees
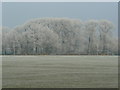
x: 60, y: 72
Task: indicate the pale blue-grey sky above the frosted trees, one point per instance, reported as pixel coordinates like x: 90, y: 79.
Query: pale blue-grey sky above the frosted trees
x: 17, y: 13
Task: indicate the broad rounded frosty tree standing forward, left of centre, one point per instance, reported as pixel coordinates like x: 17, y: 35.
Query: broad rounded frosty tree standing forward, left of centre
x: 37, y: 39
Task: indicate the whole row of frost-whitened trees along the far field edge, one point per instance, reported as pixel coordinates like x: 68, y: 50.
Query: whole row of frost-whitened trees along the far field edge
x: 60, y: 36
